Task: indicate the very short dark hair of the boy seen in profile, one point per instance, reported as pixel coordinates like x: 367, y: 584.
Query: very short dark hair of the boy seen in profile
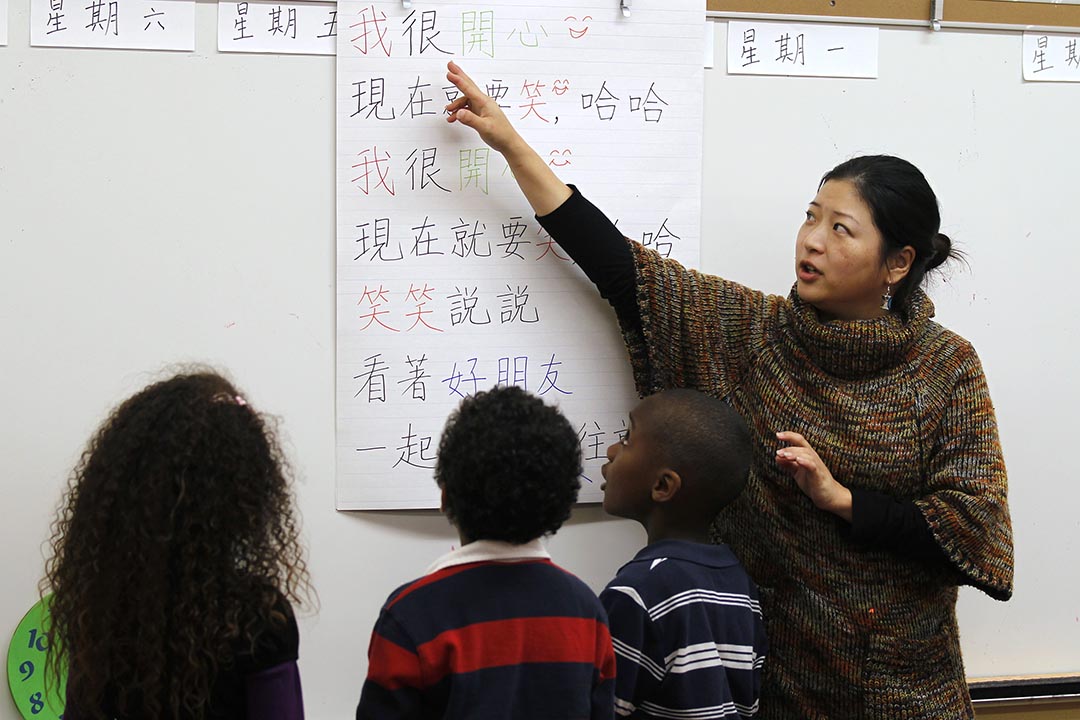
x: 706, y: 441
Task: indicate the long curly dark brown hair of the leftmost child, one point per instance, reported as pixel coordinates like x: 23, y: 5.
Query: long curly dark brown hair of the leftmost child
x: 173, y: 549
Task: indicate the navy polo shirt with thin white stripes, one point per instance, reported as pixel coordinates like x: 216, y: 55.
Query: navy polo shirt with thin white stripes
x: 687, y: 631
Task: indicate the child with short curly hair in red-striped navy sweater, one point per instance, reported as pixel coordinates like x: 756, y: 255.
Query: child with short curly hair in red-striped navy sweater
x: 495, y: 630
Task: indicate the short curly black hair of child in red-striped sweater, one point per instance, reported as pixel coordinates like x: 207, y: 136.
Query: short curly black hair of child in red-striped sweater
x: 509, y: 466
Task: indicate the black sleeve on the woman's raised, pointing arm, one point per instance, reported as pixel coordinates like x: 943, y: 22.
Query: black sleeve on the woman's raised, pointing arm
x: 600, y: 250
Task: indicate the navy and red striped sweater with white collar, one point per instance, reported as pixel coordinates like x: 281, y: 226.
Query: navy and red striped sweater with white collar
x: 494, y: 631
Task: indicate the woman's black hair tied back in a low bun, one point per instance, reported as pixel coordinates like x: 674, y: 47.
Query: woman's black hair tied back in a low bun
x: 906, y: 212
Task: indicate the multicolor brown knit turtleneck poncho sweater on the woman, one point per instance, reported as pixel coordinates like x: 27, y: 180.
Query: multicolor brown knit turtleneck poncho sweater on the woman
x: 897, y: 405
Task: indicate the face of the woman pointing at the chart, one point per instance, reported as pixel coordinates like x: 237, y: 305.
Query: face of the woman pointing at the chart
x: 839, y: 259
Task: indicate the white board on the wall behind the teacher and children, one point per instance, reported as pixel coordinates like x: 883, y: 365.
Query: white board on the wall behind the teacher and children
x: 161, y: 208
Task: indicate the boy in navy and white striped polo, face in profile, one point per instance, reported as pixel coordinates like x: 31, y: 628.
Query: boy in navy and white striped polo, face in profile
x: 684, y: 615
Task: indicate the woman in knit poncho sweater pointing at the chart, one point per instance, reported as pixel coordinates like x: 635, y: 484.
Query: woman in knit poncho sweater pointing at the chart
x: 877, y: 485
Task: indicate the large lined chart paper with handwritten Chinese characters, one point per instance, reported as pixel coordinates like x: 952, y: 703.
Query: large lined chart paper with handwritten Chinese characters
x: 447, y: 284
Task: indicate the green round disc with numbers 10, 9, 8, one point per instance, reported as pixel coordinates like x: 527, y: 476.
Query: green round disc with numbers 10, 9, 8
x: 35, y: 698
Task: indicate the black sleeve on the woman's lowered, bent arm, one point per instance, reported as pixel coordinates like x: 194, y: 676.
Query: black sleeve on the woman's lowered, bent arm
x: 896, y: 525
